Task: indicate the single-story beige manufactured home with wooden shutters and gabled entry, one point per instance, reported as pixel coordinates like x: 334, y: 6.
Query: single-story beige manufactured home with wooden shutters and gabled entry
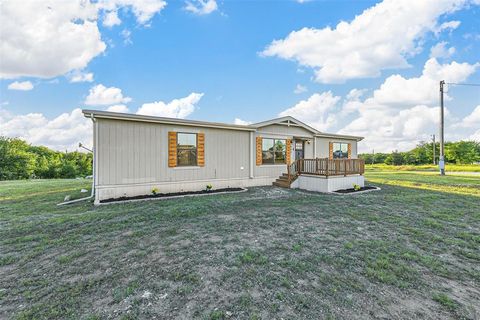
x: 135, y: 153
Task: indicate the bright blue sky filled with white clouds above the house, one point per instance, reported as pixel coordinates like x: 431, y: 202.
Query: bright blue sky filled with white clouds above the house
x: 366, y: 68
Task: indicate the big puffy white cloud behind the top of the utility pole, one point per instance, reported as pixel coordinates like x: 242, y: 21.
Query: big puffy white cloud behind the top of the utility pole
x: 404, y: 111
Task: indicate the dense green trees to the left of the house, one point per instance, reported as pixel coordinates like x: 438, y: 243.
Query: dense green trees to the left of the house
x: 20, y: 160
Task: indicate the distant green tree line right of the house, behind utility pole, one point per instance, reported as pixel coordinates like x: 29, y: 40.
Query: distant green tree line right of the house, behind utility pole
x: 461, y: 152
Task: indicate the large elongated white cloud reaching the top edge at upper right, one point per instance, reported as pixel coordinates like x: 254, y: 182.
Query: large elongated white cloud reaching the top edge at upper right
x: 382, y: 37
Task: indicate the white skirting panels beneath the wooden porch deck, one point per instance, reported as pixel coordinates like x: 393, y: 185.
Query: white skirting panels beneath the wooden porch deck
x: 324, y: 184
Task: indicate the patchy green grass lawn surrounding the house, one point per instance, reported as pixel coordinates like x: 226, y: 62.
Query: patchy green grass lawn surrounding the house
x: 408, y: 251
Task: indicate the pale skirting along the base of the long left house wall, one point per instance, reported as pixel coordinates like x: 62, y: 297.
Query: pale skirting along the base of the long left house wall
x: 103, y: 192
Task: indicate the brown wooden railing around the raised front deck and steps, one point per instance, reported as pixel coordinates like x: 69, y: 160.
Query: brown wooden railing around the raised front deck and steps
x: 325, y: 167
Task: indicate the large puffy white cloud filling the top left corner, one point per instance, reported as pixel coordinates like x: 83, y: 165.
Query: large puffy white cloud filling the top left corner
x: 47, y: 38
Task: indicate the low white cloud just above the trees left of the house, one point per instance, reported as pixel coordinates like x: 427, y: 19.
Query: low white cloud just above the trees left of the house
x: 61, y: 133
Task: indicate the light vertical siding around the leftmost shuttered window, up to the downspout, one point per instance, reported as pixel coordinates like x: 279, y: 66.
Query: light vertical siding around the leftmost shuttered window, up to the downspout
x: 137, y: 152
